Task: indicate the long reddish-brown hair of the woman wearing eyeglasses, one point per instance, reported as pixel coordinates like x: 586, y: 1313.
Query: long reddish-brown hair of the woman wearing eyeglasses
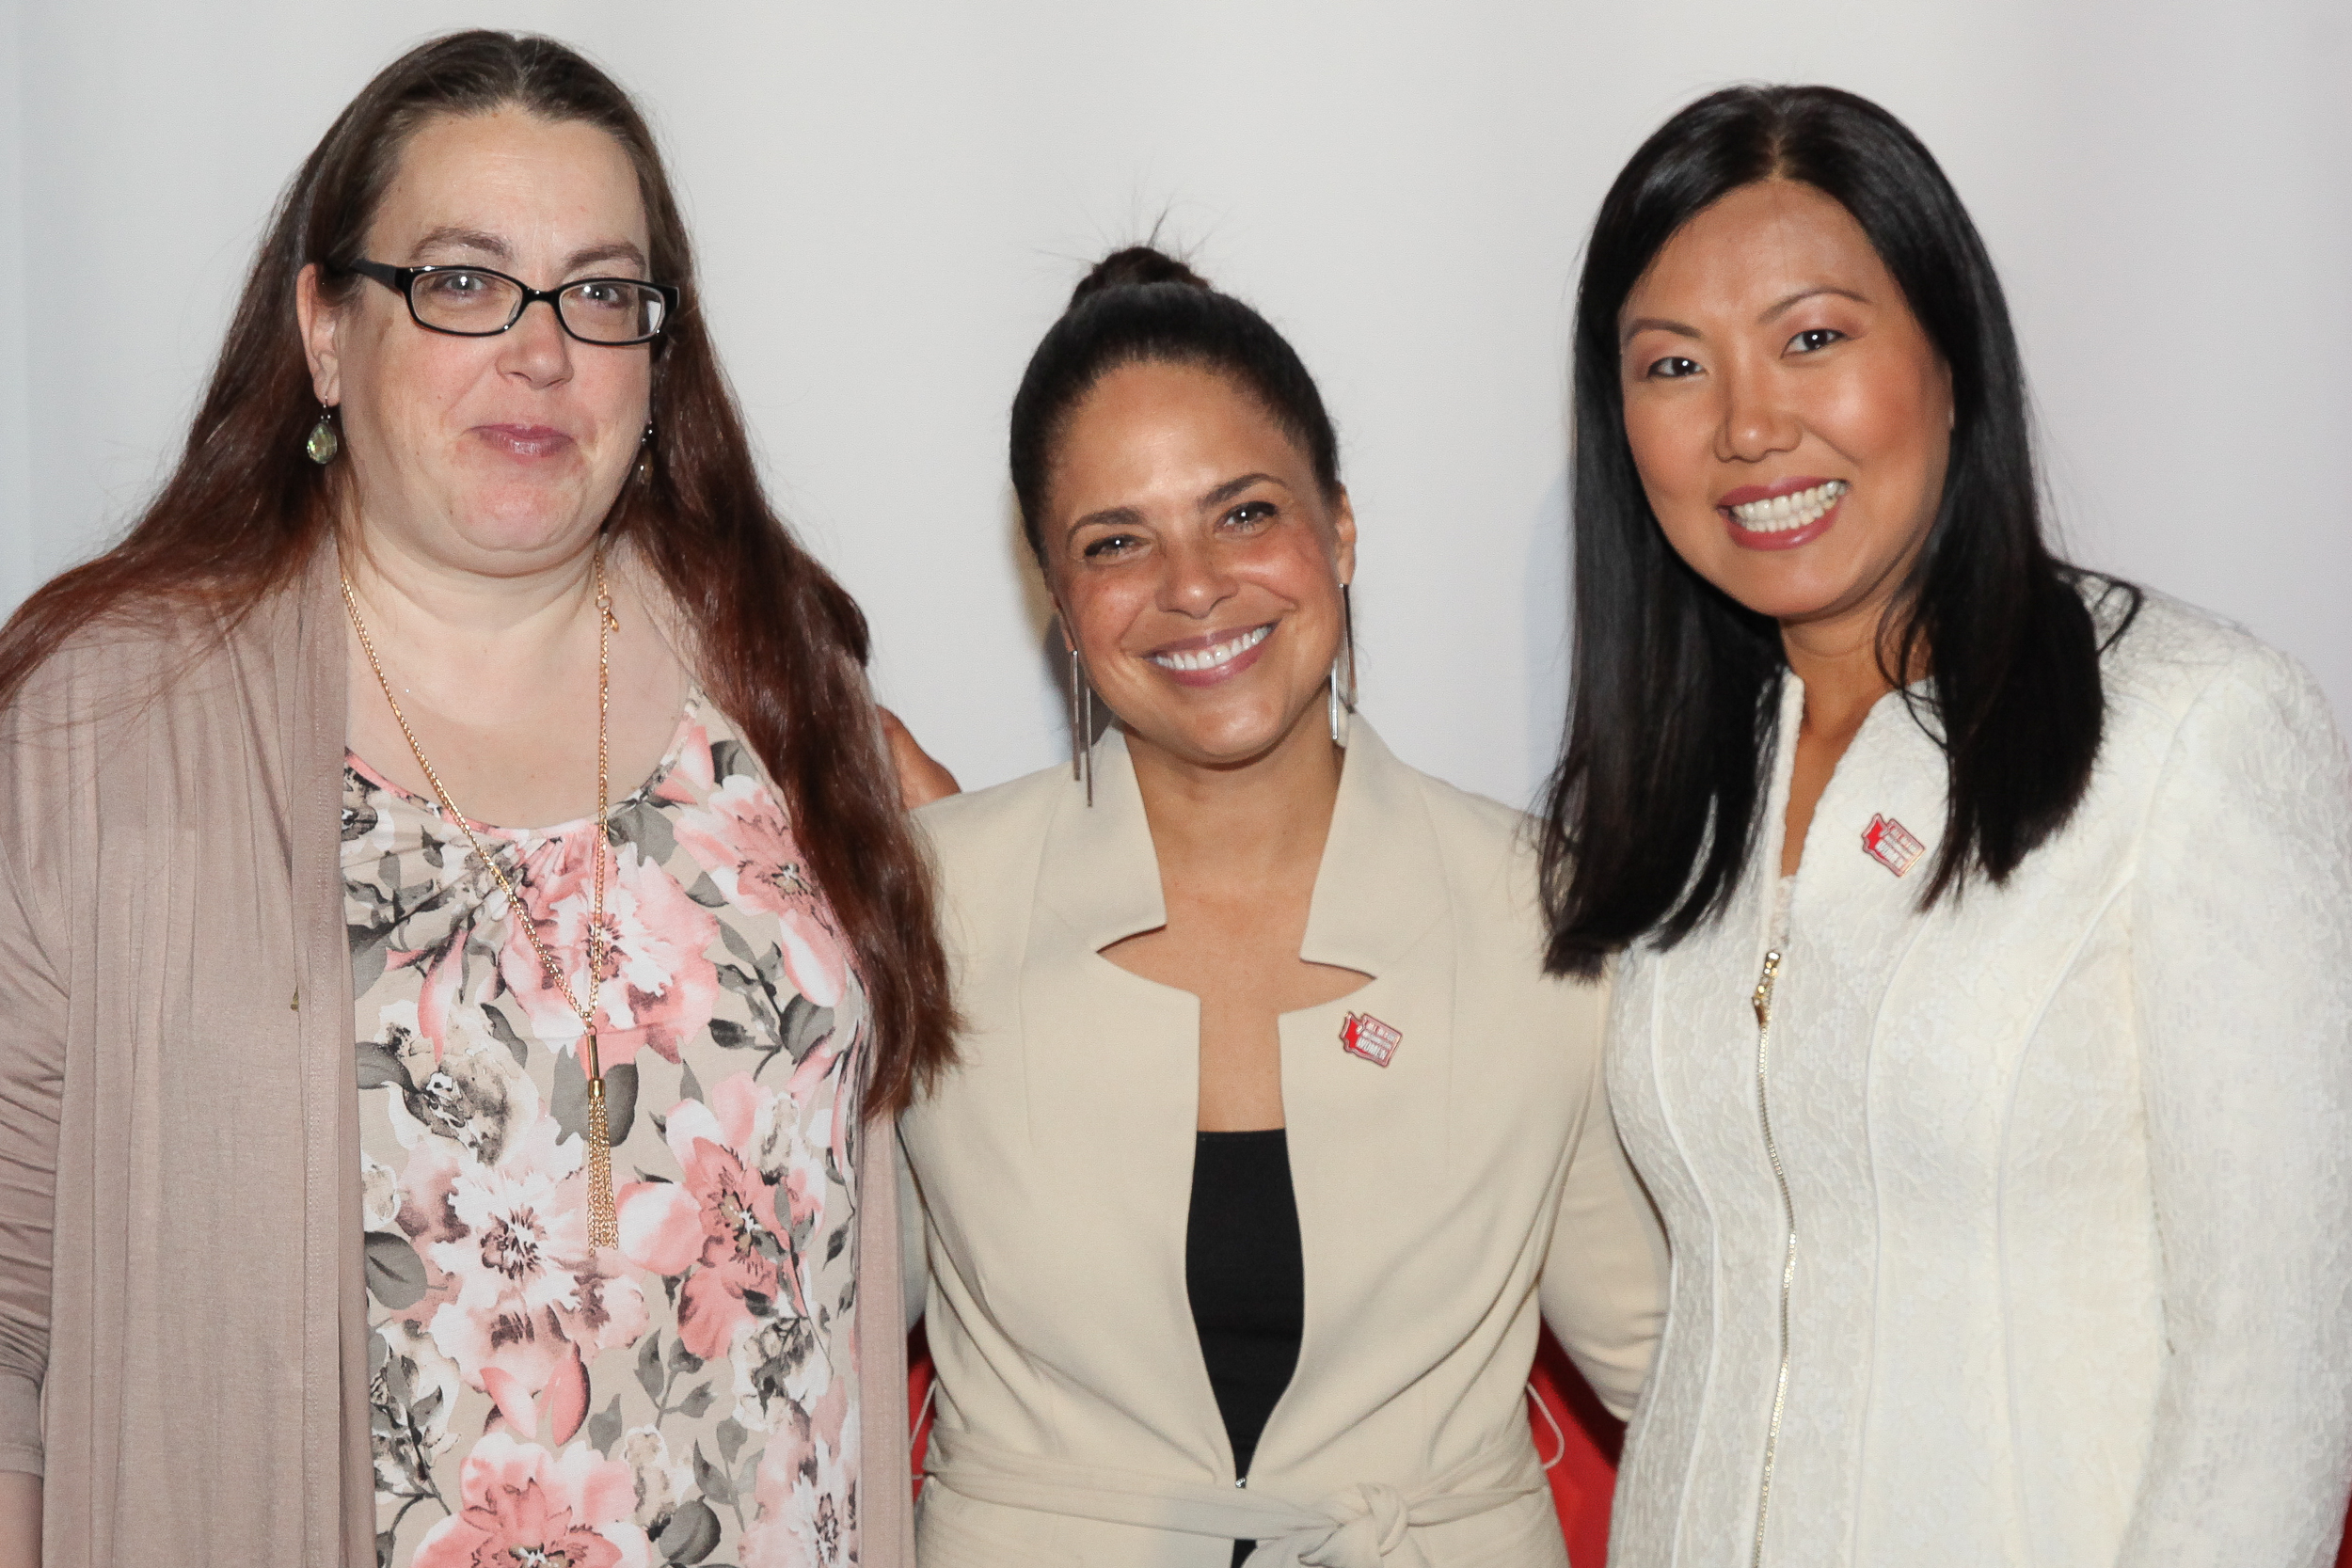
x: 782, y: 648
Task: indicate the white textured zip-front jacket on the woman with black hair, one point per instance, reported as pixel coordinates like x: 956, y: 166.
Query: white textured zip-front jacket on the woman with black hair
x: 2071, y: 1160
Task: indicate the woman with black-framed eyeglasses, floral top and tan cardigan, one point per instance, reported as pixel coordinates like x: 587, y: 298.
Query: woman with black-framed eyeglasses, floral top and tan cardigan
x: 457, y: 920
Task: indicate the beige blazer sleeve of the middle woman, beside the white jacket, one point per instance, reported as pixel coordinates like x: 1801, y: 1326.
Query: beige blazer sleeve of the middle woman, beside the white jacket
x: 1603, y: 1287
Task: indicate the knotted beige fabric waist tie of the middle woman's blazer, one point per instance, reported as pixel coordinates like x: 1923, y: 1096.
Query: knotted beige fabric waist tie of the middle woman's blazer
x: 1368, y: 1525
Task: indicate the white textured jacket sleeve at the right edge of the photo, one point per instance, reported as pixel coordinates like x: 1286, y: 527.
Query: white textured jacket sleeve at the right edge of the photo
x: 2243, y: 998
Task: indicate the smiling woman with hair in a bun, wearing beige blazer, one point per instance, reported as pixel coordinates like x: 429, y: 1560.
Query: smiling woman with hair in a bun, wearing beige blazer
x: 1269, y: 1139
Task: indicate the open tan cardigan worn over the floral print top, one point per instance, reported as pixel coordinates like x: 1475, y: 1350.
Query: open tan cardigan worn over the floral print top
x: 182, y: 1308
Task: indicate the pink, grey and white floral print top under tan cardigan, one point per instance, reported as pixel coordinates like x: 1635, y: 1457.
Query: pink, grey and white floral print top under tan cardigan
x: 690, y: 1395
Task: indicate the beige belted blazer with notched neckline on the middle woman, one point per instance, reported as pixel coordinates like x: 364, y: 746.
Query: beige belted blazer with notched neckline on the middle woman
x: 1443, y: 1200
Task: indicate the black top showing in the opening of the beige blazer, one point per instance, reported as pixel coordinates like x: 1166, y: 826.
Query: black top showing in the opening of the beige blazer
x: 1248, y: 1280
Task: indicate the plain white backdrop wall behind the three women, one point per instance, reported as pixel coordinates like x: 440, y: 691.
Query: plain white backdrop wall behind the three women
x: 893, y: 201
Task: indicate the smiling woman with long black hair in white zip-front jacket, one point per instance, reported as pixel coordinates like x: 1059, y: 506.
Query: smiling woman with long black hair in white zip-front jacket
x: 1982, y: 925
